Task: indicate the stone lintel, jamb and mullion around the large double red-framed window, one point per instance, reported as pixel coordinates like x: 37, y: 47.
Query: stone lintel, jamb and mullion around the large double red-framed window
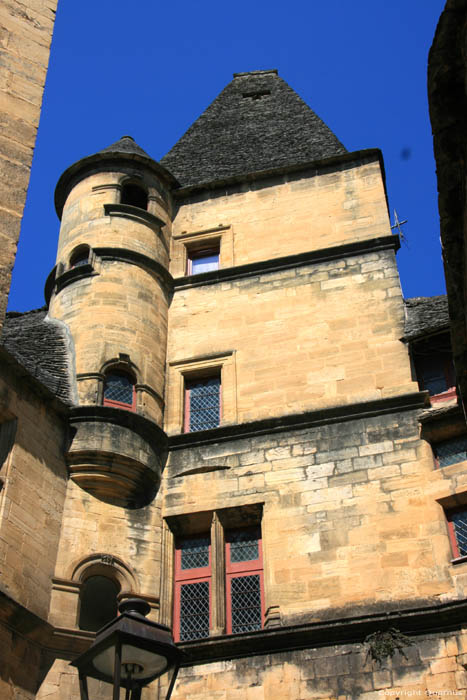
x: 214, y: 522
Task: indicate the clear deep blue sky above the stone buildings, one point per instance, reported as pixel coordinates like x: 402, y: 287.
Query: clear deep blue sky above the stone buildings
x: 150, y: 68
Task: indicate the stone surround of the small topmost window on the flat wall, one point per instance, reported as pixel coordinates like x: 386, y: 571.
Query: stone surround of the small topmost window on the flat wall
x: 217, y: 238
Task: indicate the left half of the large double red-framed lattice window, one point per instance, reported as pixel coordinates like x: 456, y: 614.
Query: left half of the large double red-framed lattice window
x: 192, y: 599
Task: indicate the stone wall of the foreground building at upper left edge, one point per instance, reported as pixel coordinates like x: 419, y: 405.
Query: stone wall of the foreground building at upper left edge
x: 26, y: 33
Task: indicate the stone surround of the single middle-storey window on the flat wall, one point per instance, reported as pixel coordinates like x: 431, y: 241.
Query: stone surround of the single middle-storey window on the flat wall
x: 180, y: 370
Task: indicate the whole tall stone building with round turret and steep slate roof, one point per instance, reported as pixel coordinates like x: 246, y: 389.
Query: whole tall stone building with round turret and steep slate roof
x: 228, y: 410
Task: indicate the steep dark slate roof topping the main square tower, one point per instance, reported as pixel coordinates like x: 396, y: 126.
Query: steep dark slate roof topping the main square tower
x: 256, y: 123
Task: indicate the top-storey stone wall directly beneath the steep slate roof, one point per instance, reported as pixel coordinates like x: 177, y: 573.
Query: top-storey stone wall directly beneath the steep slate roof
x: 314, y: 209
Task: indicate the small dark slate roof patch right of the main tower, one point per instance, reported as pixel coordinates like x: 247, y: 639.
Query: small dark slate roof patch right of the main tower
x: 425, y: 315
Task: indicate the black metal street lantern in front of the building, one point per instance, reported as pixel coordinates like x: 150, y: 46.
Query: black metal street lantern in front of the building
x: 129, y: 652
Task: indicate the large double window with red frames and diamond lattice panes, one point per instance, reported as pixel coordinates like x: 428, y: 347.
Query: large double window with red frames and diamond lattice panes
x: 242, y: 589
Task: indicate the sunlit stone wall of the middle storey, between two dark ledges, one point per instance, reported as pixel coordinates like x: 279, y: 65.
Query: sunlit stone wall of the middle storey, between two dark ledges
x: 311, y: 336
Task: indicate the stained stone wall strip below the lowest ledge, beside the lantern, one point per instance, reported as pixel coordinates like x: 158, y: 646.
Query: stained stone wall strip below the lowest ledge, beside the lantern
x: 431, y: 667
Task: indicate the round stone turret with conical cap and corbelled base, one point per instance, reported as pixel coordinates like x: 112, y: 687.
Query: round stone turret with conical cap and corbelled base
x: 112, y: 288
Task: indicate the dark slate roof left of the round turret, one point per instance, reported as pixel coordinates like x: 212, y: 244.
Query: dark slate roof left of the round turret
x: 41, y: 346
